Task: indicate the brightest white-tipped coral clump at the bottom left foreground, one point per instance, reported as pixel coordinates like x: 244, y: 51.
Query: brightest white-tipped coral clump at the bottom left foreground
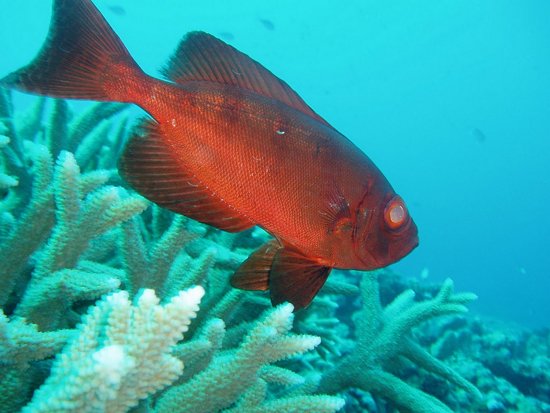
x: 120, y: 356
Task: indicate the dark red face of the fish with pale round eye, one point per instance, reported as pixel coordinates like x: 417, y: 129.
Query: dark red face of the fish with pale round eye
x: 385, y: 231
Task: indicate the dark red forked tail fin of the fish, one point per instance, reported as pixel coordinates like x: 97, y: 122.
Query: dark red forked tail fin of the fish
x: 82, y: 58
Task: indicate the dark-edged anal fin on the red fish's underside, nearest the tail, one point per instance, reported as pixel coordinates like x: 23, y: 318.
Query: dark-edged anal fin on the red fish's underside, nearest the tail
x: 150, y: 168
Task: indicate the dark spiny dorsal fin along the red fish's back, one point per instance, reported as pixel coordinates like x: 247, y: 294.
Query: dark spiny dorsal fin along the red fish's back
x: 201, y: 56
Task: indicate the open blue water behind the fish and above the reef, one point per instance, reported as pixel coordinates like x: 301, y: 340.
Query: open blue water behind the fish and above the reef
x: 450, y: 99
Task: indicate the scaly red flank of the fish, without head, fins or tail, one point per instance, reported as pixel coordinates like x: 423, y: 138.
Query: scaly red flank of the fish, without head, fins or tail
x: 263, y: 146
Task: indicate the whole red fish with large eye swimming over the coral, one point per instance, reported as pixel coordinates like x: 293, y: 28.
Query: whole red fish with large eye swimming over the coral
x: 231, y: 145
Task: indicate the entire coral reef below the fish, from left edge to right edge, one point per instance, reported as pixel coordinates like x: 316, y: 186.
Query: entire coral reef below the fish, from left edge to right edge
x: 98, y: 288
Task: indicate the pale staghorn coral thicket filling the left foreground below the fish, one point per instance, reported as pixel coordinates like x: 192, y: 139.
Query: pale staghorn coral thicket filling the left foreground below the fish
x: 71, y: 234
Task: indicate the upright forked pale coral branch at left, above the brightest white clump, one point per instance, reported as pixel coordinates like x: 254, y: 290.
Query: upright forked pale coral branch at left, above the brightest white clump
x: 79, y: 217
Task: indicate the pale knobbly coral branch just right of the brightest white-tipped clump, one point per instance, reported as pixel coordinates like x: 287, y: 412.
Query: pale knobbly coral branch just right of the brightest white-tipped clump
x: 238, y: 379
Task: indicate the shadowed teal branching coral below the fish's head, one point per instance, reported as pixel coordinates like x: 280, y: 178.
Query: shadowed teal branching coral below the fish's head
x: 383, y: 340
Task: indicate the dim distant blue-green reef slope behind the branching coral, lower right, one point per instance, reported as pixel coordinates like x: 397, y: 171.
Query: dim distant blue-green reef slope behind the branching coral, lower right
x: 508, y: 364
